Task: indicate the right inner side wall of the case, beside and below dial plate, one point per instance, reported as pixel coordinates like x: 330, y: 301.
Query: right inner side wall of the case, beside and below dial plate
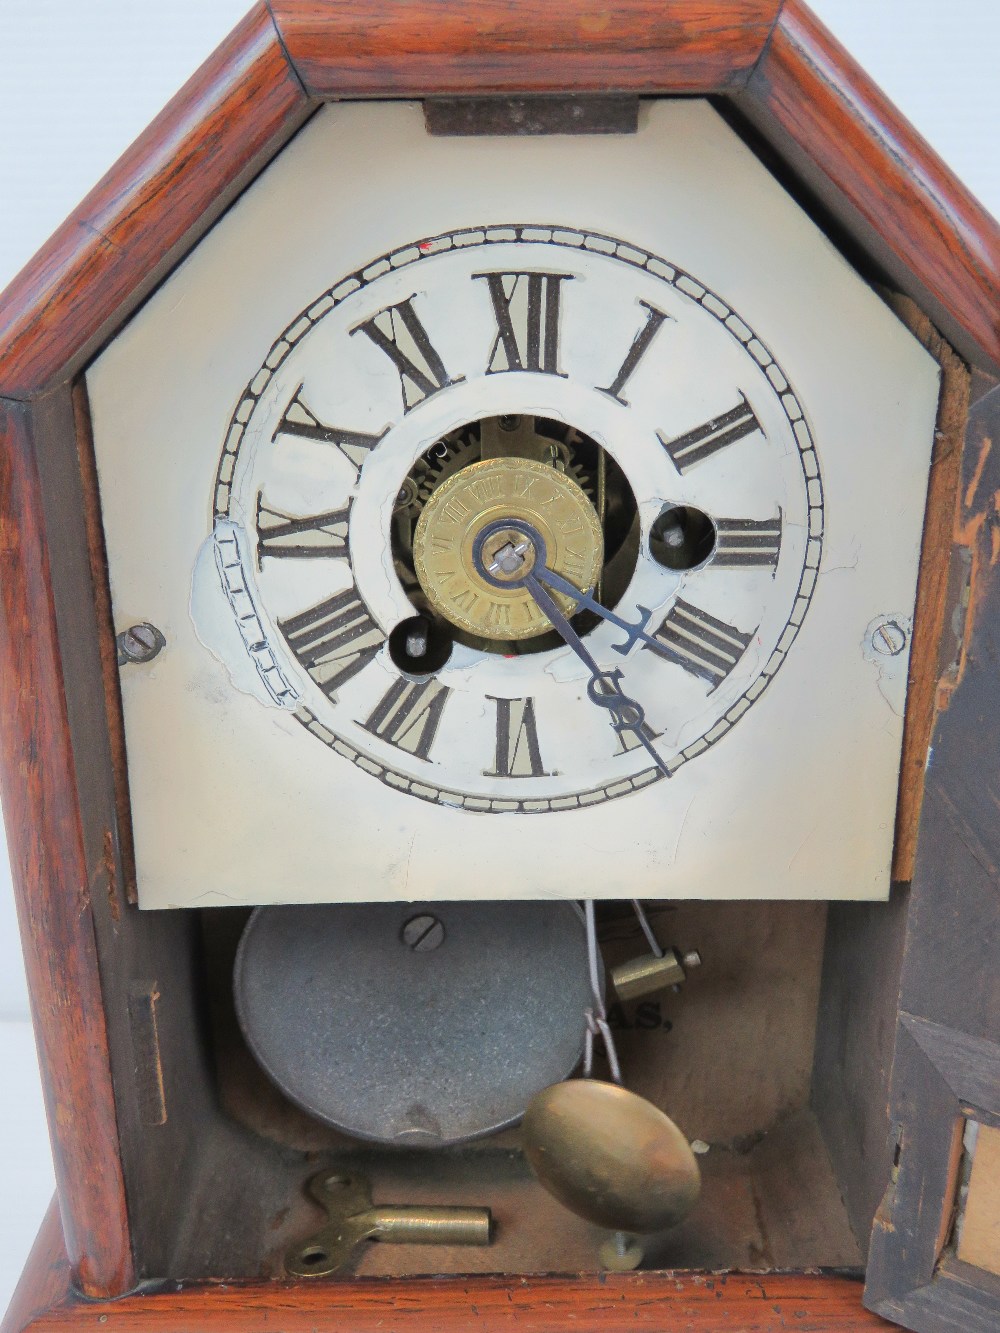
x: 863, y: 955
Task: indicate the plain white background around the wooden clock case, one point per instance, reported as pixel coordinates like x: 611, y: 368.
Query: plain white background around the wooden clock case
x: 82, y: 81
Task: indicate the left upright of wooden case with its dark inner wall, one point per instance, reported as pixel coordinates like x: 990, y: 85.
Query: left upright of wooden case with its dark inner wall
x: 117, y: 994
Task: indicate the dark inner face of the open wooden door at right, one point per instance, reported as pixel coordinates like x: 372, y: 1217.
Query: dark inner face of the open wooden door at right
x: 947, y: 1063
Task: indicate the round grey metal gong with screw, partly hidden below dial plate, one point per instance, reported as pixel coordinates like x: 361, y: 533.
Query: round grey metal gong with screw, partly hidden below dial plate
x: 421, y: 1024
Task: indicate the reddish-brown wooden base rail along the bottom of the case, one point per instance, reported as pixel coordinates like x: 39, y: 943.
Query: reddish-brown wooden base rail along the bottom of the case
x: 751, y: 1303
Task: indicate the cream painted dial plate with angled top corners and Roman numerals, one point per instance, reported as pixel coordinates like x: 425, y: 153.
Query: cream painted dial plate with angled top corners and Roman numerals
x: 305, y: 438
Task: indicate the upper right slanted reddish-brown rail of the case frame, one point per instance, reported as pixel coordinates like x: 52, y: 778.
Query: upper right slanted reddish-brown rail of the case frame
x: 825, y: 115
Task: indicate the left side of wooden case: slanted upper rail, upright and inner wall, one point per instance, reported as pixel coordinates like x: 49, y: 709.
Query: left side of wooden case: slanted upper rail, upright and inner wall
x: 115, y: 996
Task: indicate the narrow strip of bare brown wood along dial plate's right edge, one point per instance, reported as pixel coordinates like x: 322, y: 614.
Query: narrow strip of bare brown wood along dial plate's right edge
x: 935, y: 593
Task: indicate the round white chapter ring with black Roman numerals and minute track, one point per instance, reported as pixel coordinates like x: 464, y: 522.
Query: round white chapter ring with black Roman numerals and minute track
x: 590, y: 339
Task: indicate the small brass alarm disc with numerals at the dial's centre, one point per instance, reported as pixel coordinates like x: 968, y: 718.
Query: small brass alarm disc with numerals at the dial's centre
x: 481, y: 498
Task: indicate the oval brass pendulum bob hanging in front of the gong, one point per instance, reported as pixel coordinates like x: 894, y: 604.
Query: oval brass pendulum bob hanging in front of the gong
x: 610, y: 1156
